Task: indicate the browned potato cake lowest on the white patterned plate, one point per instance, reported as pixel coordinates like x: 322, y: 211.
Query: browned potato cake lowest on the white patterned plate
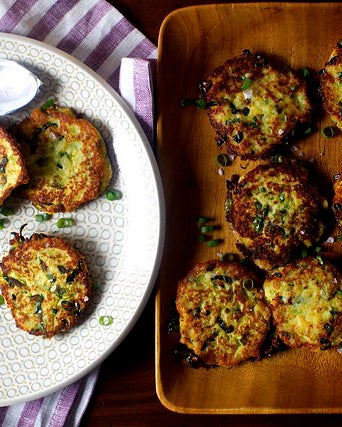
x: 45, y: 283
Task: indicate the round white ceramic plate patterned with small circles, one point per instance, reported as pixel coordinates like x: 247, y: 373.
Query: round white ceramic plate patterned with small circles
x: 122, y: 240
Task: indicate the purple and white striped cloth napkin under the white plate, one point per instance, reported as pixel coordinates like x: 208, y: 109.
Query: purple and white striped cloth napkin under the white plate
x: 94, y: 32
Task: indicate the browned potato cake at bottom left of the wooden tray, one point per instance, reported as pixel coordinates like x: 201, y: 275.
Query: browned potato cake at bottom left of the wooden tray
x: 223, y: 316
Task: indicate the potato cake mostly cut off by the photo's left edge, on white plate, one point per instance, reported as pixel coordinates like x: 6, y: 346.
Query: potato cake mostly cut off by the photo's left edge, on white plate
x: 12, y: 167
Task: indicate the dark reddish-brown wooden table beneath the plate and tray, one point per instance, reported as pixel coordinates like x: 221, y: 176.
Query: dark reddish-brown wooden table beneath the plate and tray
x: 125, y: 393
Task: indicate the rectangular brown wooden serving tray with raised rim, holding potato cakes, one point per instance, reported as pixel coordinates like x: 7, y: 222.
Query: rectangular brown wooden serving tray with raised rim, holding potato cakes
x: 193, y: 41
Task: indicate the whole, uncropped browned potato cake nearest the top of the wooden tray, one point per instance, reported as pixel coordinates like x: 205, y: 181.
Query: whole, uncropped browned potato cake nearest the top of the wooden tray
x: 254, y: 106
